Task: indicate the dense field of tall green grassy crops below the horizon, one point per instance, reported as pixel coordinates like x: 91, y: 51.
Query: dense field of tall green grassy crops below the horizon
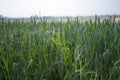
x: 60, y: 50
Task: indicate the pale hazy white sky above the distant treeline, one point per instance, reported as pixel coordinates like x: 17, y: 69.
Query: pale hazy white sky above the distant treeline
x: 26, y: 8
